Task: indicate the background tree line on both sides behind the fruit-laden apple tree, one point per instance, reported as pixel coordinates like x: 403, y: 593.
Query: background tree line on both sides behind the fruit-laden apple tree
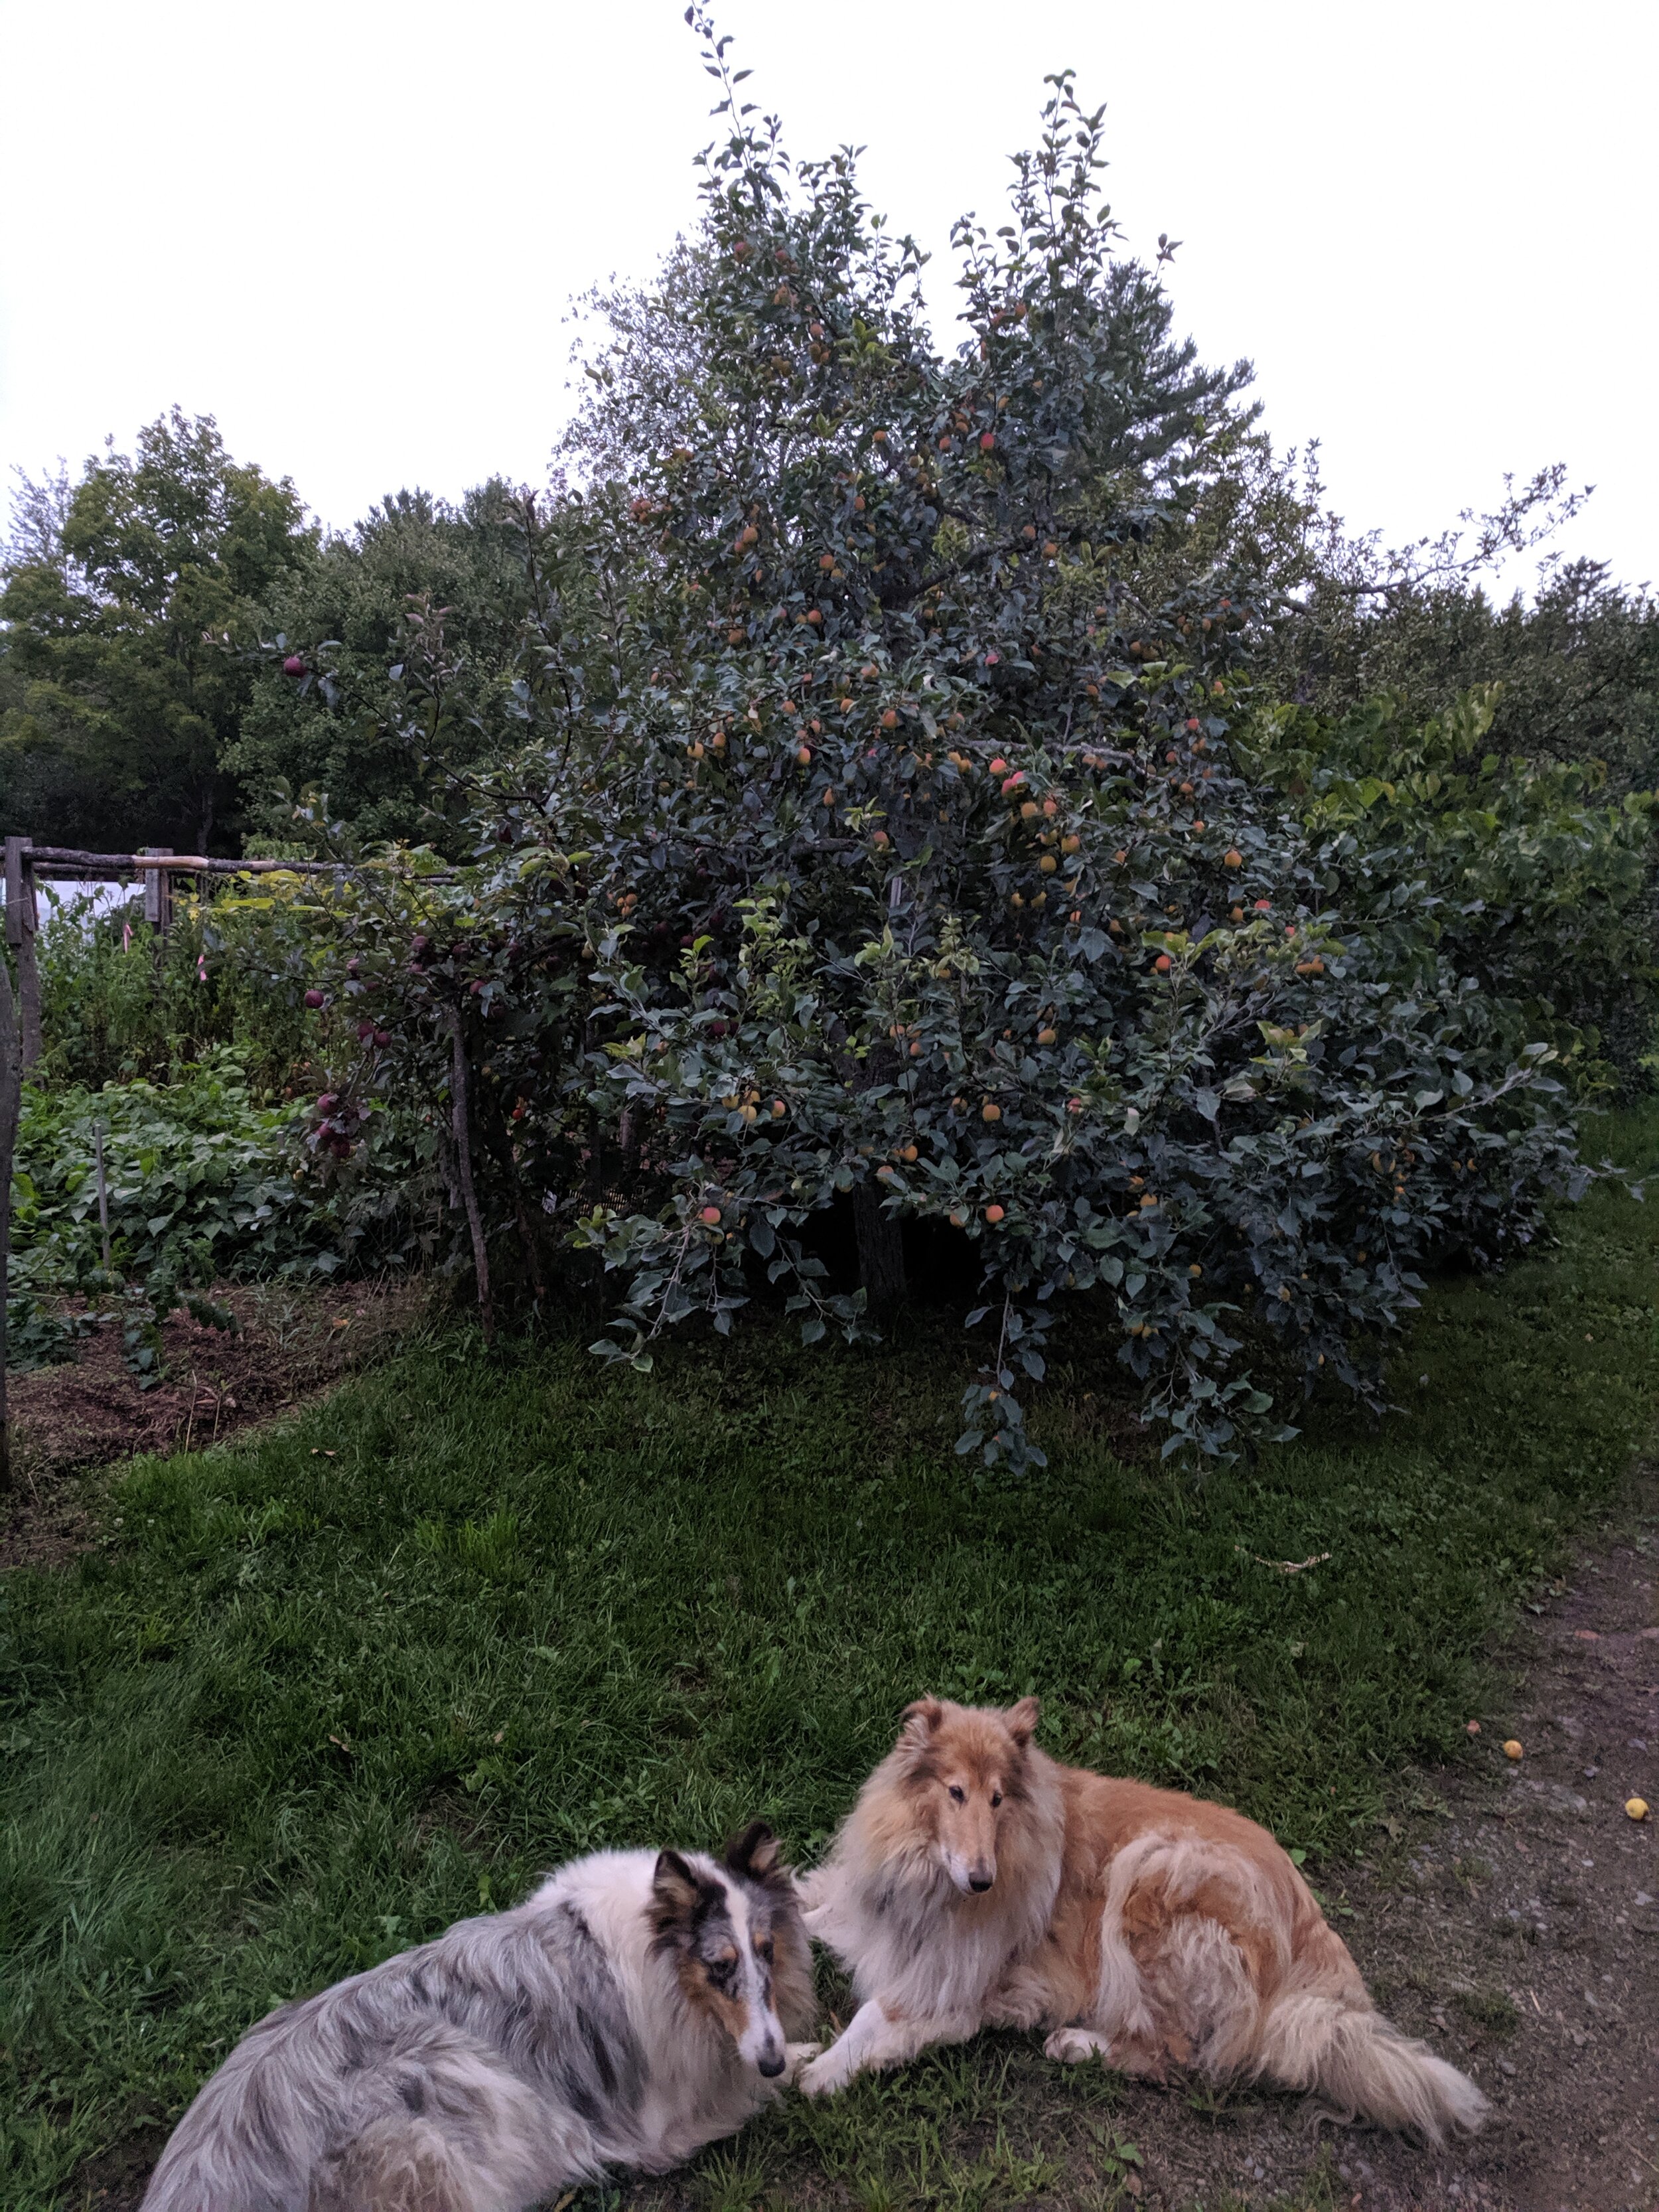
x: 138, y: 707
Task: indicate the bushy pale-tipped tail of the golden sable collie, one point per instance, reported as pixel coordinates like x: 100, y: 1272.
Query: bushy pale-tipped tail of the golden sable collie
x: 1366, y: 2069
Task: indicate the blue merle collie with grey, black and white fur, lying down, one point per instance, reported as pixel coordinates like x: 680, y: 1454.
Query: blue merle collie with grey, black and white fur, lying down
x: 632, y: 2012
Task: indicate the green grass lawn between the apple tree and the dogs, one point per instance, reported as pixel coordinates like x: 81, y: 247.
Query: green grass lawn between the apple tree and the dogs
x: 322, y: 1693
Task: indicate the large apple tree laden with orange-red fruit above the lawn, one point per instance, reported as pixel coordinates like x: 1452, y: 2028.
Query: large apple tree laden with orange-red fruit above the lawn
x: 879, y: 848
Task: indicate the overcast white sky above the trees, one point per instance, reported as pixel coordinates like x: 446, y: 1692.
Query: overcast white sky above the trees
x: 351, y: 229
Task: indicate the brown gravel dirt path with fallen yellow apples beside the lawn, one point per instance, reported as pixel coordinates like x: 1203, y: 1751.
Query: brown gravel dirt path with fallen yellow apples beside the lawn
x: 1514, y: 1921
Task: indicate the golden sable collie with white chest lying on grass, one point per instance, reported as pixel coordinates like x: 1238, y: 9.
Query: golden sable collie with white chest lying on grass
x: 979, y: 1884
